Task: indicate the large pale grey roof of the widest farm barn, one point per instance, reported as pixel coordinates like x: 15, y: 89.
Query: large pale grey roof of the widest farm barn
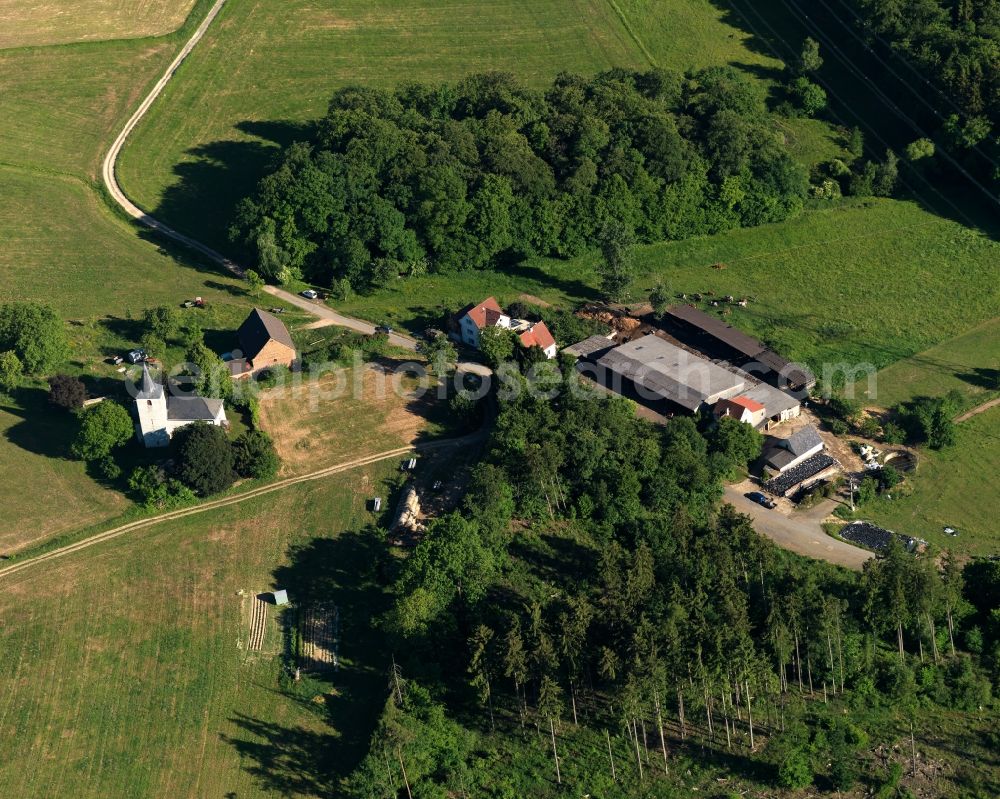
x: 671, y: 372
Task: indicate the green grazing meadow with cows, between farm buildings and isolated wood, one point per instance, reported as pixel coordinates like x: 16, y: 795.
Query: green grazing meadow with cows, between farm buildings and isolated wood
x: 851, y: 281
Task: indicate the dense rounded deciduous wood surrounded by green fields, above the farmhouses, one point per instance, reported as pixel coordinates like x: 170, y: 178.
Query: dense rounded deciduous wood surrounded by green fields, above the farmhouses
x: 486, y: 172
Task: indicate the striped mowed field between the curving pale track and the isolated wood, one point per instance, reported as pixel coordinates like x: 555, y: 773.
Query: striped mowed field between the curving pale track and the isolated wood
x: 268, y: 68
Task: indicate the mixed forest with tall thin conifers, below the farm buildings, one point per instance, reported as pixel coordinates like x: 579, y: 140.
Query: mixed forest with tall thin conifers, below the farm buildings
x: 592, y: 617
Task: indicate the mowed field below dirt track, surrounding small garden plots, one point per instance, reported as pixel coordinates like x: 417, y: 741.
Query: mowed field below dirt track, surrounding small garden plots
x: 124, y: 669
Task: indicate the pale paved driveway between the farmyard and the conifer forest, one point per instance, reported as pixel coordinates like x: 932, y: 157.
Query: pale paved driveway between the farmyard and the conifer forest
x: 801, y: 533
